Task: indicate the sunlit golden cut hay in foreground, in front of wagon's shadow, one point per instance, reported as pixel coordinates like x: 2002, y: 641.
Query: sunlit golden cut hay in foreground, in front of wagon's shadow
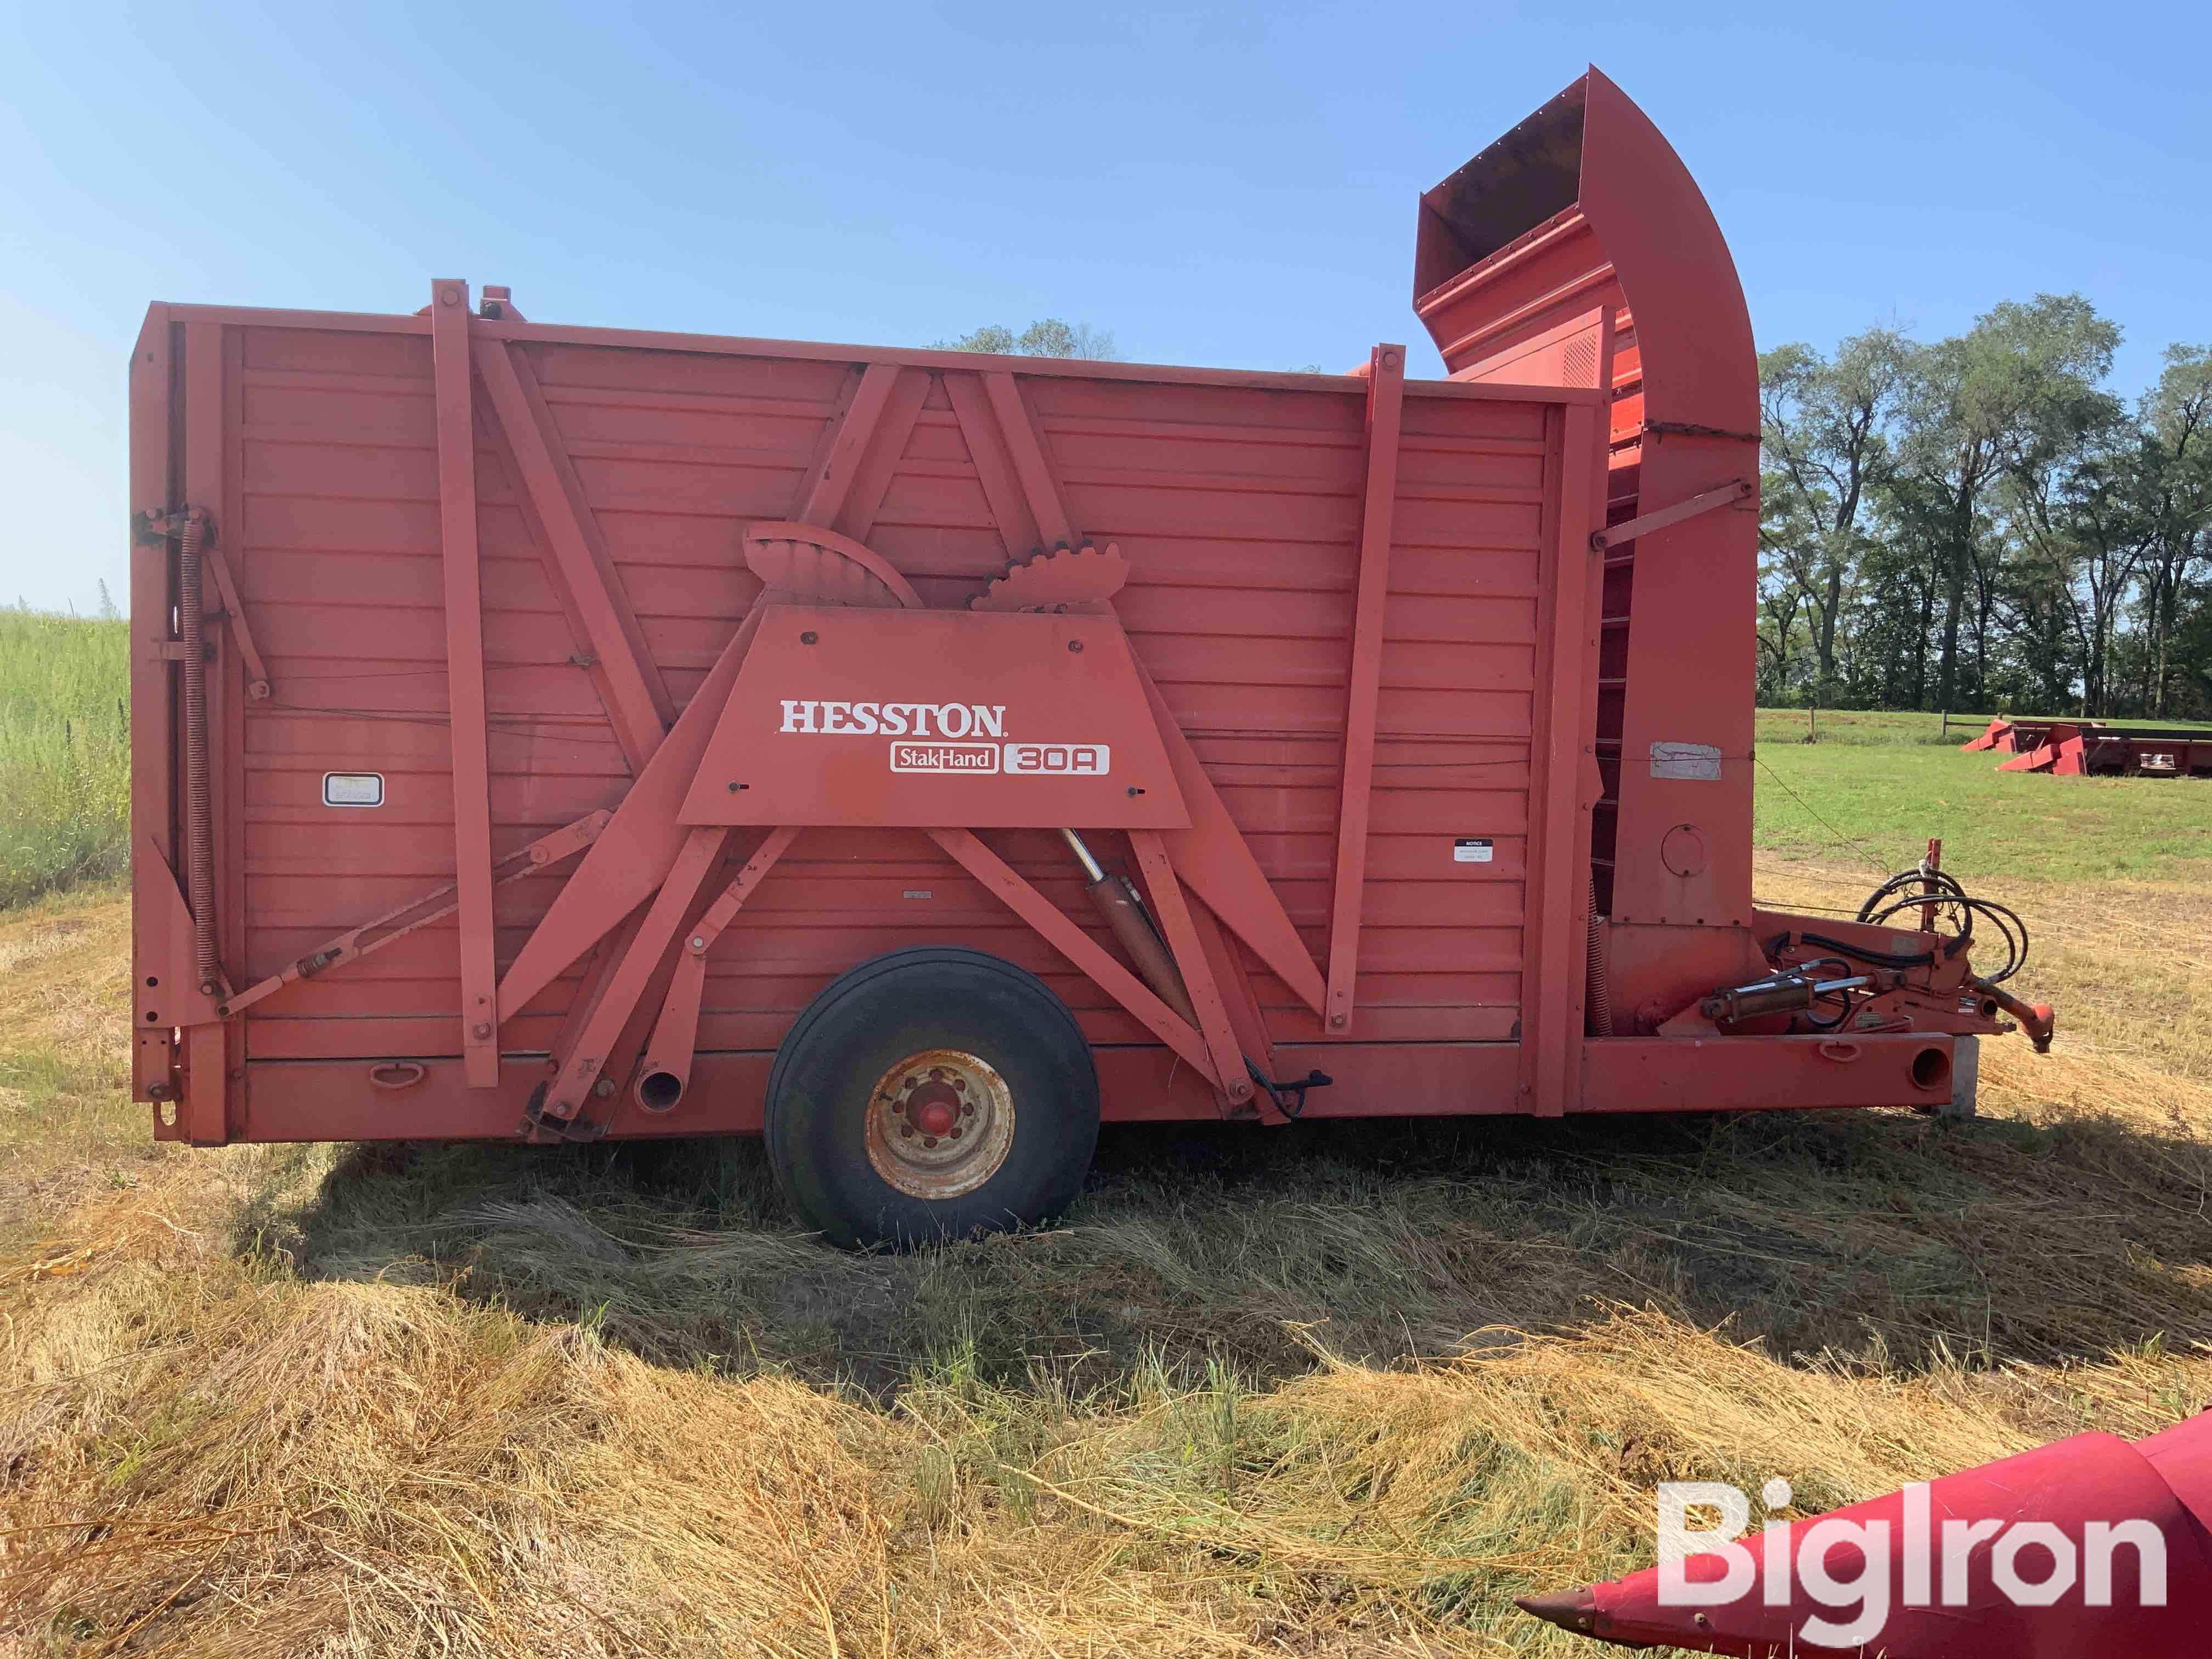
x: 209, y: 1457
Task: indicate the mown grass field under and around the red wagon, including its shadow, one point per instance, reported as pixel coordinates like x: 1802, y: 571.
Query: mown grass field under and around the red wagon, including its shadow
x: 1324, y: 1392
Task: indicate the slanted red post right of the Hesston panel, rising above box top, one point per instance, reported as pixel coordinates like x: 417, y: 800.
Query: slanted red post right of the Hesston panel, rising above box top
x: 1386, y: 404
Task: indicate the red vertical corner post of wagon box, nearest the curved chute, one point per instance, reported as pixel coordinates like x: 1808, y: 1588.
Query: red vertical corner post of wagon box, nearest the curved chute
x: 1556, y: 932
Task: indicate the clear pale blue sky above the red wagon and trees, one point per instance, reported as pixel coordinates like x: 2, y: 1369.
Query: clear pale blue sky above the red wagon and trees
x: 1220, y: 187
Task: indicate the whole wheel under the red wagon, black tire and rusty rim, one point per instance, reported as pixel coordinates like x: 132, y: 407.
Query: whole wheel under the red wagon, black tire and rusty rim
x: 932, y: 1094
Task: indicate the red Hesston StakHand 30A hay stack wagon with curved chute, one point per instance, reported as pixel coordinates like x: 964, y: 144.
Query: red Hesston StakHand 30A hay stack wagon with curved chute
x: 572, y: 733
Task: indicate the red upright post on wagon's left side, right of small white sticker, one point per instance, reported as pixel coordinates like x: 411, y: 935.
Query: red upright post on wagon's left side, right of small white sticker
x: 466, y: 678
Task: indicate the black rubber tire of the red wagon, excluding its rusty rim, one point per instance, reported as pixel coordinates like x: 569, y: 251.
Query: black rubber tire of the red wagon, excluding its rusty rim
x: 932, y: 997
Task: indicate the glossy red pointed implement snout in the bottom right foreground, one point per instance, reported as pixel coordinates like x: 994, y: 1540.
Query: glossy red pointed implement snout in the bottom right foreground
x: 2010, y: 1561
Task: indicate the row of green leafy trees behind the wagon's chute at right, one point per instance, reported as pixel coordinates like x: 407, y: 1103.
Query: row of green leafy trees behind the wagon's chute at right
x: 1983, y: 523
